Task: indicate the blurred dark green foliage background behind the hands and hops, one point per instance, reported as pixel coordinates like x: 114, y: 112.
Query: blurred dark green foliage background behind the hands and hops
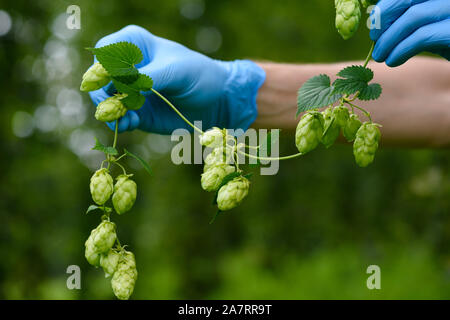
x: 309, y: 232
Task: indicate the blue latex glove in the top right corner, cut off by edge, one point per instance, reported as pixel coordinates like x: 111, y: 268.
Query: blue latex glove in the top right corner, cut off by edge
x: 409, y: 27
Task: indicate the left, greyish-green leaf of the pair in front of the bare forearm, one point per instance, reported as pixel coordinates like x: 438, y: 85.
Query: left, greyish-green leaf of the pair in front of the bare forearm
x: 316, y: 93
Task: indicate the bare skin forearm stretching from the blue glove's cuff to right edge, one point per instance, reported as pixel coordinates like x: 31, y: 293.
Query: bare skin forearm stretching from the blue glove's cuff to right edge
x: 414, y: 108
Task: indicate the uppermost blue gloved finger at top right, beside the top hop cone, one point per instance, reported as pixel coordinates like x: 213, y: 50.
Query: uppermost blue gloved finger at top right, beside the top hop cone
x: 386, y: 12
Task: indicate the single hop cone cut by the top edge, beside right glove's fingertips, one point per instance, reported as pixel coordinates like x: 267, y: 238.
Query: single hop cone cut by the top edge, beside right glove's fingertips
x: 348, y: 15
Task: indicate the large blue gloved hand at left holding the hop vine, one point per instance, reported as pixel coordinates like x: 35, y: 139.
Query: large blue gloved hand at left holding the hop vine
x: 216, y: 92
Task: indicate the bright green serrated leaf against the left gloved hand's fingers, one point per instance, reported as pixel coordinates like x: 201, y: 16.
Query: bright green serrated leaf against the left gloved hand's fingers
x: 119, y: 59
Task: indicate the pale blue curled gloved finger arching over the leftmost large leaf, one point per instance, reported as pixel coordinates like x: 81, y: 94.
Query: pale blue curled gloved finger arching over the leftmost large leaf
x: 134, y: 34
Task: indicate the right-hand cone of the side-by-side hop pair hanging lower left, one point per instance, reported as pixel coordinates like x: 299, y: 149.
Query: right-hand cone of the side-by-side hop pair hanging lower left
x: 124, y: 196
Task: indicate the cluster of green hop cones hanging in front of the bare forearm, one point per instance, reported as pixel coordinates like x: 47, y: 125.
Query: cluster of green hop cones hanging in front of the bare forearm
x: 324, y: 127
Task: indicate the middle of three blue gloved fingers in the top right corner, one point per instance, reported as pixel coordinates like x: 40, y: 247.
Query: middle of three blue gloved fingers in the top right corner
x: 414, y: 18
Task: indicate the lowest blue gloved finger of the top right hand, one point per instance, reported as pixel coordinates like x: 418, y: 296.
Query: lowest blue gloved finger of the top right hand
x: 431, y: 37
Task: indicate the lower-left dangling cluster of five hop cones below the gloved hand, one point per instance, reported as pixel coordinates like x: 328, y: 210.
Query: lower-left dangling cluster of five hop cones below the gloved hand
x: 118, y: 263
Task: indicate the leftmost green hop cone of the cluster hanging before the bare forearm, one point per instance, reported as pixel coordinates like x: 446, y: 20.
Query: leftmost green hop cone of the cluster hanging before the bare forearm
x: 309, y: 131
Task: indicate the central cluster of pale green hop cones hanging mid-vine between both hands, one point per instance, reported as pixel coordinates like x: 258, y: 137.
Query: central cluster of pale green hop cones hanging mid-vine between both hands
x: 219, y: 164
